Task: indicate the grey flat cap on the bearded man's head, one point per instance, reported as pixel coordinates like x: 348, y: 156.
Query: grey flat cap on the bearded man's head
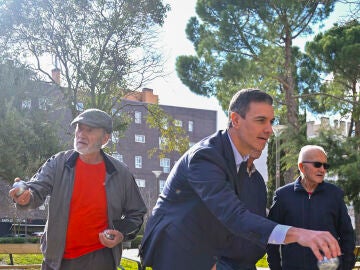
x: 94, y: 118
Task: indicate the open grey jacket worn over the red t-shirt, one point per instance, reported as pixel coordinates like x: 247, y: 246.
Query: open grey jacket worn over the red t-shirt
x: 55, y: 178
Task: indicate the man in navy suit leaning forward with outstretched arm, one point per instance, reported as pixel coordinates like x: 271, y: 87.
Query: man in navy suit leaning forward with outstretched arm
x: 199, y: 215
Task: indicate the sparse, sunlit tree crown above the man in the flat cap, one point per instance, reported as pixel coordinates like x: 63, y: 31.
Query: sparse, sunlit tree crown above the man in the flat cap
x: 103, y: 49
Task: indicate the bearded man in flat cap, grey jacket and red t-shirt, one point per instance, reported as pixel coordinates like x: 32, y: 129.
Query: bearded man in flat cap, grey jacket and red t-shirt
x: 94, y: 203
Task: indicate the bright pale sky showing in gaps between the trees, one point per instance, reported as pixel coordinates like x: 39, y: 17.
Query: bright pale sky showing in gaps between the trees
x: 173, y: 41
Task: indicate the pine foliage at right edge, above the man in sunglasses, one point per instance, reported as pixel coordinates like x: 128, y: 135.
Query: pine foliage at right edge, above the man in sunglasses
x: 335, y: 52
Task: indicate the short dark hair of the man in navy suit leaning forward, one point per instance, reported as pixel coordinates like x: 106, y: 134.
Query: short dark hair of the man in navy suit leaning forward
x: 241, y: 100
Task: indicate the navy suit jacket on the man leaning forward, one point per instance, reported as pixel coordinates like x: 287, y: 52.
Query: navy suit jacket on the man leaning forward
x: 199, y: 209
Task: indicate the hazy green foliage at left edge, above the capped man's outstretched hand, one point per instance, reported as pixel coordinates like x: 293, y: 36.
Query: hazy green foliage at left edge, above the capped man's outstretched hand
x: 21, y: 137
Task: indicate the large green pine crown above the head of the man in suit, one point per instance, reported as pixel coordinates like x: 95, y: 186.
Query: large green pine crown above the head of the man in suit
x: 241, y: 44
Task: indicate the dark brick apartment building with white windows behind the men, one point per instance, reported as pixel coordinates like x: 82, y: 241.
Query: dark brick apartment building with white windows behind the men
x: 134, y: 146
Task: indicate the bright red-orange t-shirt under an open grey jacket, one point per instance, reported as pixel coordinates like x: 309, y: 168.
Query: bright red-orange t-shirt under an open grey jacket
x: 88, y: 210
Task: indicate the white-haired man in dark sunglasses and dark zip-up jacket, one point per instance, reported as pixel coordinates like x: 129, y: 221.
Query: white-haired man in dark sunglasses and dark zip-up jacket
x: 311, y: 203
